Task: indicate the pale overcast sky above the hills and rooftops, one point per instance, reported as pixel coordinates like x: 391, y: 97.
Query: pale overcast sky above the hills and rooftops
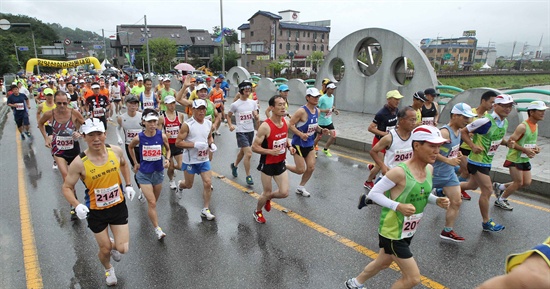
x: 499, y: 22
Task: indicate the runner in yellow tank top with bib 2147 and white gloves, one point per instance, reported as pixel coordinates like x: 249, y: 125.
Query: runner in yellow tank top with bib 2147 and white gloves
x: 99, y: 167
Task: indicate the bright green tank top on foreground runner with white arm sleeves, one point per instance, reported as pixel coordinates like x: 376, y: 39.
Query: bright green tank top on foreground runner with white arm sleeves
x: 395, y: 226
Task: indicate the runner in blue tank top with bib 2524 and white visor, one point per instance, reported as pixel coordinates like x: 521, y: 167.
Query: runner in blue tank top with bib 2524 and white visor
x: 150, y: 168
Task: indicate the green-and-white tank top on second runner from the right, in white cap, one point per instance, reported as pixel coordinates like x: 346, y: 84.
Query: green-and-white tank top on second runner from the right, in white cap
x: 489, y: 142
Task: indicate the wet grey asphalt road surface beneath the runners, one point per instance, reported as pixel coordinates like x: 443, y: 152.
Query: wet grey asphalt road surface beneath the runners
x: 302, y: 250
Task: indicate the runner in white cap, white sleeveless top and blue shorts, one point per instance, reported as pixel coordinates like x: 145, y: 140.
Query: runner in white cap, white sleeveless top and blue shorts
x: 195, y: 137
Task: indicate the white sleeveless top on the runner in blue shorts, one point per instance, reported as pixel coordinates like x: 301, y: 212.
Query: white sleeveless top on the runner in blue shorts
x: 198, y: 132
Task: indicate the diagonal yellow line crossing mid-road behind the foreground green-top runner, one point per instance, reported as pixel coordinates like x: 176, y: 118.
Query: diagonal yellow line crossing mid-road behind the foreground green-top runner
x: 427, y: 282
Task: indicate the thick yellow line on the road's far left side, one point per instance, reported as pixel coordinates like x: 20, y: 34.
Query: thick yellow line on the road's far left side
x: 30, y: 257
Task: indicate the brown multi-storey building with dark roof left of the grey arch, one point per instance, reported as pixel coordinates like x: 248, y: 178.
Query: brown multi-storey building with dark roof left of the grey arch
x: 268, y: 36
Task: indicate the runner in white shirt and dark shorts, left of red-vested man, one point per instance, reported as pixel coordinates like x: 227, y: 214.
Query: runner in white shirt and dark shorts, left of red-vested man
x: 245, y: 111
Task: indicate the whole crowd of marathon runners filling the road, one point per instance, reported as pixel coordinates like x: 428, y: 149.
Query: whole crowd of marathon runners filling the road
x: 416, y: 162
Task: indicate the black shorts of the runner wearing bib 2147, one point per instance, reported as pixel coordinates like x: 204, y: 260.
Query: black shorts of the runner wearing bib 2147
x: 98, y: 220
